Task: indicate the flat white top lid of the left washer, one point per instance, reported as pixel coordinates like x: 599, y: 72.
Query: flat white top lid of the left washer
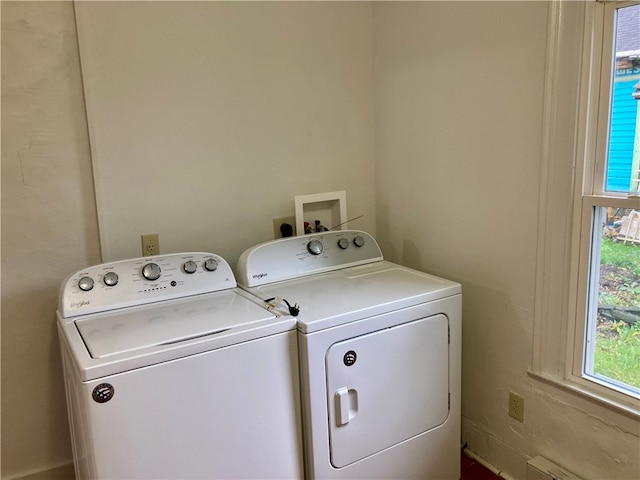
x: 173, y: 322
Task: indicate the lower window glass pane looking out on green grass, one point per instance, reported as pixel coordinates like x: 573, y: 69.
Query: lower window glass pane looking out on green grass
x: 613, y: 330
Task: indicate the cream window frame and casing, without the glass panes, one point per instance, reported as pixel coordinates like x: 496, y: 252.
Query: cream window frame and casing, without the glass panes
x: 574, y: 159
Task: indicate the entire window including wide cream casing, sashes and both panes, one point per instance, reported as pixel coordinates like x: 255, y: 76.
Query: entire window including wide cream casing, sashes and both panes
x: 587, y: 311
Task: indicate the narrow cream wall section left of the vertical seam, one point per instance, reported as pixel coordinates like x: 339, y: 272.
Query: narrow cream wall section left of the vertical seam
x: 49, y: 225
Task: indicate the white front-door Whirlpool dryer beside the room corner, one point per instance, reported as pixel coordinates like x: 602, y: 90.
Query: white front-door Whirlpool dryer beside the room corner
x: 379, y: 355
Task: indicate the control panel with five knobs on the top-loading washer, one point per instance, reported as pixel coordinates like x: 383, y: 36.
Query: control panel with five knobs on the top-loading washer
x: 143, y: 280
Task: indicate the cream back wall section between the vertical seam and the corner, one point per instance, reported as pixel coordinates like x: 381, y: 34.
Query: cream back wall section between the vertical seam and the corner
x: 207, y: 118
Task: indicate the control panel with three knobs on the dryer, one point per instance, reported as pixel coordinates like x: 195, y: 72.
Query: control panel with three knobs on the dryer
x: 305, y: 255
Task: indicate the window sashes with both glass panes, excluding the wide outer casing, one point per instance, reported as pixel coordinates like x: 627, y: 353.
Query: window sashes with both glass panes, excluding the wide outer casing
x: 607, y: 337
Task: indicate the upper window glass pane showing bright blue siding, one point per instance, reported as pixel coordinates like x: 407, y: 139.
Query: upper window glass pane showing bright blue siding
x: 623, y: 162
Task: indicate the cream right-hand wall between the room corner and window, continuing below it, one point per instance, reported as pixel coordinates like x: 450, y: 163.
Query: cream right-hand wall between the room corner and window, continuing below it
x: 459, y: 115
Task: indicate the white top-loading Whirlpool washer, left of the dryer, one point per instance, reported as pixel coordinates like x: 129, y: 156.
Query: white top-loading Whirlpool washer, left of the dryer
x: 172, y: 372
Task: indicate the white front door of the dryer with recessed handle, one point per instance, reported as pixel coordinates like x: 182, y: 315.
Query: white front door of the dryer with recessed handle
x: 386, y: 387
